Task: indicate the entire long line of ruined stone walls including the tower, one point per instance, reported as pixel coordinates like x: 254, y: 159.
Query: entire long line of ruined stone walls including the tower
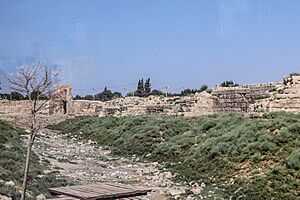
x: 251, y: 99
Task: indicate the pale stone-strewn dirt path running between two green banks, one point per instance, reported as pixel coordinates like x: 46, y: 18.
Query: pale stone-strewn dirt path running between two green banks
x: 87, y: 163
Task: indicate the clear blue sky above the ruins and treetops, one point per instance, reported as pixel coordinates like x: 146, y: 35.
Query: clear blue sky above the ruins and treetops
x: 177, y: 43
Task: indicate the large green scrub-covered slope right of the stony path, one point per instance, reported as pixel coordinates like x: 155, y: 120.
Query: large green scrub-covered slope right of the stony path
x: 247, y: 158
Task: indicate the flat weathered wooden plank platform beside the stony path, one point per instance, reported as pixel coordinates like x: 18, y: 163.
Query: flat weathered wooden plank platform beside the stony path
x: 101, y: 191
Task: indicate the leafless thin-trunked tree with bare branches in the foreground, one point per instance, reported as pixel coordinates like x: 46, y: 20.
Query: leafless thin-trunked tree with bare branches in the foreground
x: 35, y: 81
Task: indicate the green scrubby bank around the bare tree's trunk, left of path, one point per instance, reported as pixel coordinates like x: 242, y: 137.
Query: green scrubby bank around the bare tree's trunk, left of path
x: 12, y: 161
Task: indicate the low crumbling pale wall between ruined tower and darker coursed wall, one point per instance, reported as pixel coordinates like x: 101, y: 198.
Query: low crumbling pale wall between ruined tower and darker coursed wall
x: 198, y: 104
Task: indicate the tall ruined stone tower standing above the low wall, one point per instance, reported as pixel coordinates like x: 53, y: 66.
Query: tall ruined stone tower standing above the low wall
x: 61, y: 101
